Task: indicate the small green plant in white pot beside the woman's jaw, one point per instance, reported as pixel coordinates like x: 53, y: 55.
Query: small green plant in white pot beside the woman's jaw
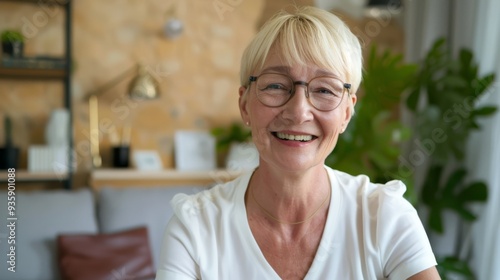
x: 234, y: 143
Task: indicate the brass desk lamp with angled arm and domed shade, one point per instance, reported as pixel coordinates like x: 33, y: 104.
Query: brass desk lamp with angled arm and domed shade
x: 143, y: 87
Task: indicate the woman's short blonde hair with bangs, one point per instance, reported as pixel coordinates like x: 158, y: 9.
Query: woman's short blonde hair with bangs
x: 308, y: 35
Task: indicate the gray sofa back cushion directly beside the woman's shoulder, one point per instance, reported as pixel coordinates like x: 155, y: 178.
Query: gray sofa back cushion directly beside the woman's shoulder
x: 125, y: 208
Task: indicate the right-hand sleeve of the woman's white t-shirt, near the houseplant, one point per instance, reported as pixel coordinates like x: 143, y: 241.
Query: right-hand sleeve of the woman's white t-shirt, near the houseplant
x: 404, y: 246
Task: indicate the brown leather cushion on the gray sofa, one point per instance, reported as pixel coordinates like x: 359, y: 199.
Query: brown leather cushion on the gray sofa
x: 122, y: 255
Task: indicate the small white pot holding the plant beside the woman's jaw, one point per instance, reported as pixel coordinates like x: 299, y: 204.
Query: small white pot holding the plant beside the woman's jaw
x: 242, y: 156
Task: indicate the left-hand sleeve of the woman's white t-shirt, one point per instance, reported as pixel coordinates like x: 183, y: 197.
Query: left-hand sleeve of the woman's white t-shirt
x: 177, y: 261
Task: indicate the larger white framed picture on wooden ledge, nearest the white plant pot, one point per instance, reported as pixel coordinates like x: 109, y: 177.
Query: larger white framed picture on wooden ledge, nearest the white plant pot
x: 194, y: 151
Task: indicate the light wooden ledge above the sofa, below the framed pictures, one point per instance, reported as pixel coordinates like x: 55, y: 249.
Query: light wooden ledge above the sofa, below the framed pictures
x: 118, y: 178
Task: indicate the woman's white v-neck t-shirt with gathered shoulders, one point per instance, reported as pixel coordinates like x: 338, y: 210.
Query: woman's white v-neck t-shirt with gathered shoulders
x: 371, y: 232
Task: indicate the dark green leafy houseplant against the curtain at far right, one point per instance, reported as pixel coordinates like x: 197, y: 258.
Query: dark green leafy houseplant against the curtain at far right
x: 451, y: 87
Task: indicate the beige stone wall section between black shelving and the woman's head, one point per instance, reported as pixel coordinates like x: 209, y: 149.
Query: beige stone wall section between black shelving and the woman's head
x: 198, y: 72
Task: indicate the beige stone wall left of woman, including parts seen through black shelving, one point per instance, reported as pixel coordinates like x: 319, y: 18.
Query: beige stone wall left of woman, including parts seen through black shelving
x: 198, y: 72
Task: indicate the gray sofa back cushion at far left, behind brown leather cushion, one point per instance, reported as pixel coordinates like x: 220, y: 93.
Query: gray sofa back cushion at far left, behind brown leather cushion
x: 41, y: 216
